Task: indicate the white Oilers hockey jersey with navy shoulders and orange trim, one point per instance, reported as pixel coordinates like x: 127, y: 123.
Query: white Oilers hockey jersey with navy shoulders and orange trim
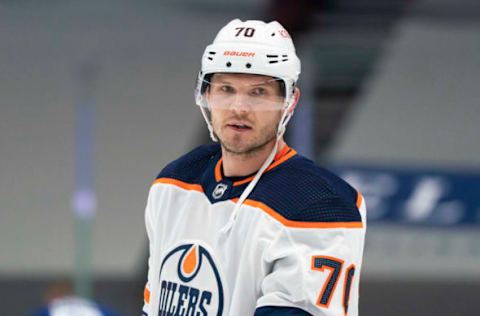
x: 295, y: 247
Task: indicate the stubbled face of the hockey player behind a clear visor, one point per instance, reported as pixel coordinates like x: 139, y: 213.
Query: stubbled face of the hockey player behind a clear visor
x: 241, y: 127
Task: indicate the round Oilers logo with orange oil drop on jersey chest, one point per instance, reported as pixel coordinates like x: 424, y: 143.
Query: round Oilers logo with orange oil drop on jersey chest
x: 190, y: 283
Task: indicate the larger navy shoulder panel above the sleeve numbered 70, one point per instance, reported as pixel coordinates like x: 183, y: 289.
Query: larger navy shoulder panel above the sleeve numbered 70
x: 301, y: 191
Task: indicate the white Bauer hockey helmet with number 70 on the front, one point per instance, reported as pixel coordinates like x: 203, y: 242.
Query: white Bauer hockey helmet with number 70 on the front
x: 251, y: 47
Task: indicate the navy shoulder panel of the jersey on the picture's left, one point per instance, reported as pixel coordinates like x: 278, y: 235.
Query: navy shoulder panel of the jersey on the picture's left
x: 191, y: 166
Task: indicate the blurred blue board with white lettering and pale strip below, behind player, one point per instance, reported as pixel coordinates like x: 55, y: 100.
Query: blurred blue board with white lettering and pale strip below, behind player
x: 422, y: 224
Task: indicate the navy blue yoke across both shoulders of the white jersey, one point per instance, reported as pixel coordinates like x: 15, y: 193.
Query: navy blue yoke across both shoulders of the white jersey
x: 297, y: 189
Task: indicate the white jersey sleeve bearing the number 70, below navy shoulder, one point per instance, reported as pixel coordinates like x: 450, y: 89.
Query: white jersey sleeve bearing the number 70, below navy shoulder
x: 314, y: 269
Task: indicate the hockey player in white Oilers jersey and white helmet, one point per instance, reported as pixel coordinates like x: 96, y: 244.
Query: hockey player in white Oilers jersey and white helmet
x: 248, y: 226
